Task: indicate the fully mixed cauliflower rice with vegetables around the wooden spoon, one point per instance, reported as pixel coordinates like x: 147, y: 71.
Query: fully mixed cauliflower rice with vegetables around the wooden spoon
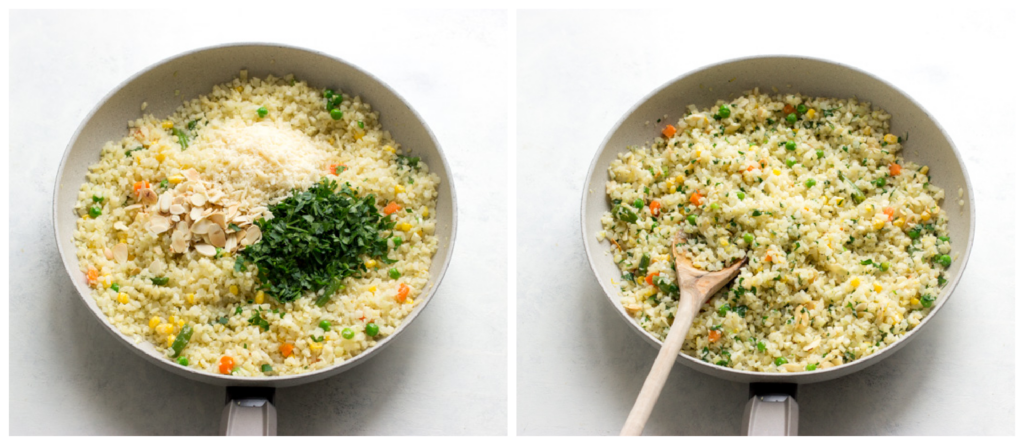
x: 846, y: 242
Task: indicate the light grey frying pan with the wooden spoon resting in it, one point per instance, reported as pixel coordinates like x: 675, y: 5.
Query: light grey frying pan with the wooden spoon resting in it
x: 773, y: 409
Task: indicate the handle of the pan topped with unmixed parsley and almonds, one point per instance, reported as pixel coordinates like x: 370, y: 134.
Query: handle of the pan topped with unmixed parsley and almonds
x: 249, y: 412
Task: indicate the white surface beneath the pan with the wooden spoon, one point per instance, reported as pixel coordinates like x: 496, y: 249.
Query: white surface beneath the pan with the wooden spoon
x: 580, y: 367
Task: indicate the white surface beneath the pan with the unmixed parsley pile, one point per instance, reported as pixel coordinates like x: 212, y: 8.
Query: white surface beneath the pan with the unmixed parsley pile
x: 448, y: 375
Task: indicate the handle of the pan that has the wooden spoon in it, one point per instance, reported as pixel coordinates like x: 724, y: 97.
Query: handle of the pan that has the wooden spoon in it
x: 773, y: 411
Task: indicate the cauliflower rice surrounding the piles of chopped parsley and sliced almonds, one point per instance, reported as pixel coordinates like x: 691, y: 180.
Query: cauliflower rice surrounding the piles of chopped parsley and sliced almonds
x: 236, y: 156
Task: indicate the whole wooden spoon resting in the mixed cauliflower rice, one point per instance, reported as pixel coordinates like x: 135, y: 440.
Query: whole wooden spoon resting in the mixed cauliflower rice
x: 696, y: 287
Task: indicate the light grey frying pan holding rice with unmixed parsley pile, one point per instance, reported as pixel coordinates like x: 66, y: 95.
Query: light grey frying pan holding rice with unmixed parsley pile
x: 163, y: 86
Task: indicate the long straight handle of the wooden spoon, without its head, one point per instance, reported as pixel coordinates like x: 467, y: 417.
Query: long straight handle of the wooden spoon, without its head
x: 663, y: 365
